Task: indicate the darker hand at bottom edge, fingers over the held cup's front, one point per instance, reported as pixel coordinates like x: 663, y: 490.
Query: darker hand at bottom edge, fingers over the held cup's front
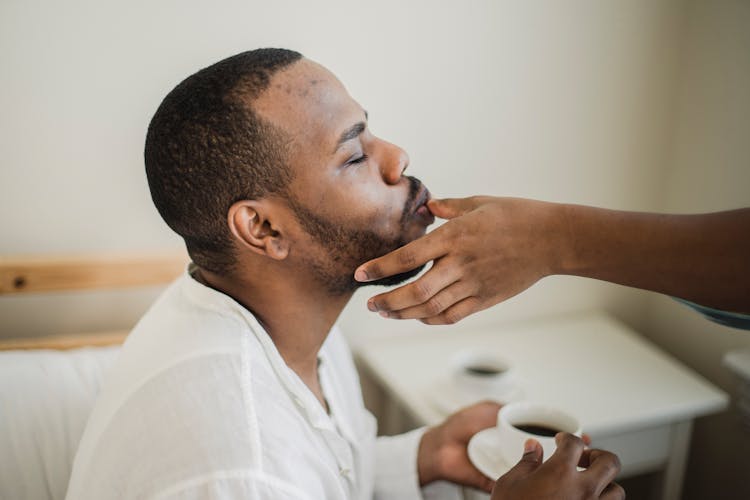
x: 558, y: 477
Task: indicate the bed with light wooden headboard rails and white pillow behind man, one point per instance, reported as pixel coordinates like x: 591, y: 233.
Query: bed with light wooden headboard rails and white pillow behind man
x: 48, y: 384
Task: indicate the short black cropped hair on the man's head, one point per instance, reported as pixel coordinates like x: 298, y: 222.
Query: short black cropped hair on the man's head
x: 206, y: 149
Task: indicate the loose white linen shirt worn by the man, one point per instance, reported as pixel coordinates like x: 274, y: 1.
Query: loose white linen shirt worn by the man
x: 200, y: 404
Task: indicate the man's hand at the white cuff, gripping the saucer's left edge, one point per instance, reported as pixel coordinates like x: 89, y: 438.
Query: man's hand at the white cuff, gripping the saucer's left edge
x: 442, y: 452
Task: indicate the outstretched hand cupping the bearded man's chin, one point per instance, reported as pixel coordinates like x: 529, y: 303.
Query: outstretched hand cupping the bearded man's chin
x: 490, y: 250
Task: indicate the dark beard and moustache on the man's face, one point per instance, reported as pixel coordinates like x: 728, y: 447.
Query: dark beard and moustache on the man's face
x: 348, y: 247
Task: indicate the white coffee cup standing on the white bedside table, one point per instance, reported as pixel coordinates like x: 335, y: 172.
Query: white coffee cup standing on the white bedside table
x: 482, y: 375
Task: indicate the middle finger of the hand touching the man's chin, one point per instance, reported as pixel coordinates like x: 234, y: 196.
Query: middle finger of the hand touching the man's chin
x: 417, y: 292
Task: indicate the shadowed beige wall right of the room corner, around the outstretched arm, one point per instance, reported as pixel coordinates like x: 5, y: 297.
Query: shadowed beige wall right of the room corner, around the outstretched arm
x: 709, y: 169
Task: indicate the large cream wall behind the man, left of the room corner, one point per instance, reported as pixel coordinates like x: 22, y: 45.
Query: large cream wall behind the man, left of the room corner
x: 561, y: 101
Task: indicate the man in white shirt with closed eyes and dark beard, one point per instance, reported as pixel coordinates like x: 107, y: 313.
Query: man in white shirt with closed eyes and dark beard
x: 237, y: 384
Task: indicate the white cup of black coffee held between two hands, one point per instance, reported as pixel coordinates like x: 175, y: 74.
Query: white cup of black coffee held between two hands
x: 517, y: 422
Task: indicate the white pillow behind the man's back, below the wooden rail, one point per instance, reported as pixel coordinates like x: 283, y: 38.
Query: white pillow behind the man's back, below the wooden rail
x: 45, y: 400
